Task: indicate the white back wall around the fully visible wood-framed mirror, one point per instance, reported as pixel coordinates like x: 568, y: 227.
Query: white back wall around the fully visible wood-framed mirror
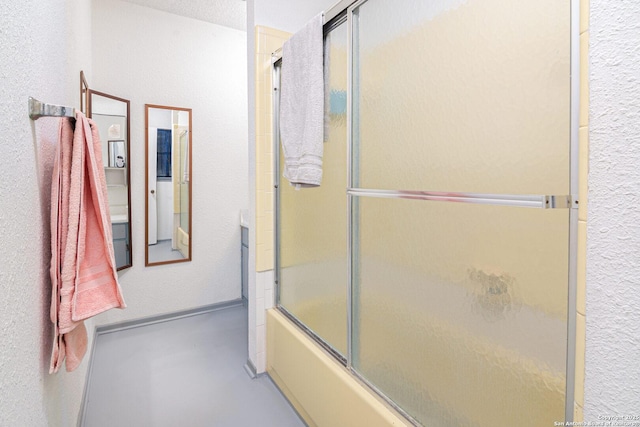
x: 149, y: 56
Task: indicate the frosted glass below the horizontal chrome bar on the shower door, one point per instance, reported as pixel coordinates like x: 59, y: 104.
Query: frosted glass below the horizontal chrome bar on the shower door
x: 460, y: 310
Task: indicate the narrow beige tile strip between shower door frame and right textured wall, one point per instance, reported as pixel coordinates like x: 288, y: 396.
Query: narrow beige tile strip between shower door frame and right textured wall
x: 583, y: 171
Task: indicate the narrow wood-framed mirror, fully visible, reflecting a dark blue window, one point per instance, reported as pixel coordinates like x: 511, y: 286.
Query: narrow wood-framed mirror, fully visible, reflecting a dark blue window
x: 168, y: 189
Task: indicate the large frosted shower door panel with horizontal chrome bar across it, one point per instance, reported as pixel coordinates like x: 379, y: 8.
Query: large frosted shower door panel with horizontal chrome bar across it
x: 460, y: 147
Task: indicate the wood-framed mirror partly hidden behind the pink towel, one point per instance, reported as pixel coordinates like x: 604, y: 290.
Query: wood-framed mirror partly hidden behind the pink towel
x: 111, y: 115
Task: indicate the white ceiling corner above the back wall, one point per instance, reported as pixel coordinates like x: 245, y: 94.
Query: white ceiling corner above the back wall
x: 229, y: 13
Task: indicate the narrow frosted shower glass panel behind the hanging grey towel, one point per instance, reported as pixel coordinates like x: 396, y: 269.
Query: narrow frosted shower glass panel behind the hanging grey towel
x: 313, y: 224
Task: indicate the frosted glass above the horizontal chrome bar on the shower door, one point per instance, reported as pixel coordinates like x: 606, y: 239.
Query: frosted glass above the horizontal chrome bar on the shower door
x: 456, y: 95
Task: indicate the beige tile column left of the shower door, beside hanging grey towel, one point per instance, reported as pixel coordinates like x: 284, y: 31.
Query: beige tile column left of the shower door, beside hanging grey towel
x: 268, y: 40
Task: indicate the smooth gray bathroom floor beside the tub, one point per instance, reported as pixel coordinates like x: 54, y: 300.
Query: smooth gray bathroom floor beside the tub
x: 186, y: 372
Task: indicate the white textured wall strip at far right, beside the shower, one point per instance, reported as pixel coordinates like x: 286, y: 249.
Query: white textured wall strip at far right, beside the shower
x: 612, y: 378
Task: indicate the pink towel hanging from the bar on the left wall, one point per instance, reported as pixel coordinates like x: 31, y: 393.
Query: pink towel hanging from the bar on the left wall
x: 83, y: 269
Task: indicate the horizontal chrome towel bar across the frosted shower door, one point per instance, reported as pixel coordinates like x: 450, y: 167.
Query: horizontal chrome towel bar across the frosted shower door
x: 527, y: 201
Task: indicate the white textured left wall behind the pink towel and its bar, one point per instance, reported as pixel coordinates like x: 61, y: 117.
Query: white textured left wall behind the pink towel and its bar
x: 44, y: 46
